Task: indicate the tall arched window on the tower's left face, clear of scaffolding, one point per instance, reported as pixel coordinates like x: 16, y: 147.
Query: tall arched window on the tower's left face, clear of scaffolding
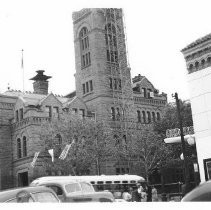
x: 84, y: 44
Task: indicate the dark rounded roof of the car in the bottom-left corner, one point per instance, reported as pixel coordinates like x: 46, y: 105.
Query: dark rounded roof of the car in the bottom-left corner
x: 11, y: 193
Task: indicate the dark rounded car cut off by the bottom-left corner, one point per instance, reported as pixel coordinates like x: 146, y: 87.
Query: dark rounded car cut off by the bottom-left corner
x: 29, y: 194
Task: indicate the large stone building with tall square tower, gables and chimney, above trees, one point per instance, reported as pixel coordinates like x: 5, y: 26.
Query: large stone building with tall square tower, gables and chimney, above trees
x: 104, y: 90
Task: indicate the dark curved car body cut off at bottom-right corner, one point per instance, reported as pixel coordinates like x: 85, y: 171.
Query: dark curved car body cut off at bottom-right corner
x: 200, y: 193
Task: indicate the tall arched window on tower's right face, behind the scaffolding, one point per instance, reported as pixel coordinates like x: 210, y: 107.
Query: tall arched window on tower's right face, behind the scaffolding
x: 111, y: 43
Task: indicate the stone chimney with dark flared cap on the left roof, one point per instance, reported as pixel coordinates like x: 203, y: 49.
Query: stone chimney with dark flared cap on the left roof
x: 40, y: 83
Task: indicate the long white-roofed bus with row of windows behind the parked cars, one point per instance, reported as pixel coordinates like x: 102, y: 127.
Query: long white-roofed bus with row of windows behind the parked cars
x: 113, y: 183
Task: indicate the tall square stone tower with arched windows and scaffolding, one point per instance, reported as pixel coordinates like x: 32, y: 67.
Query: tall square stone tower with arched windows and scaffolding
x: 103, y: 79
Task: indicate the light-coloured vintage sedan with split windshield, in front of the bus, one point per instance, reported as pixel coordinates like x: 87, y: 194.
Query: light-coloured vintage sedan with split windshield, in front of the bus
x: 73, y: 190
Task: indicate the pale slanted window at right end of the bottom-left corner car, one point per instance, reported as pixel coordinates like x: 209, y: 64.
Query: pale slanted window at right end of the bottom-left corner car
x: 45, y: 197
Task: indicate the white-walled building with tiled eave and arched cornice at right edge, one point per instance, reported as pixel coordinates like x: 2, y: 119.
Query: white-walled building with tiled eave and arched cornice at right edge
x: 198, y: 61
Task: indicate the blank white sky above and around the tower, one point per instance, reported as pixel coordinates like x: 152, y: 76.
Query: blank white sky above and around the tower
x: 156, y: 32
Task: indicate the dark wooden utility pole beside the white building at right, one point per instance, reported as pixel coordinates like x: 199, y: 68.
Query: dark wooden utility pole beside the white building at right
x: 186, y: 168
